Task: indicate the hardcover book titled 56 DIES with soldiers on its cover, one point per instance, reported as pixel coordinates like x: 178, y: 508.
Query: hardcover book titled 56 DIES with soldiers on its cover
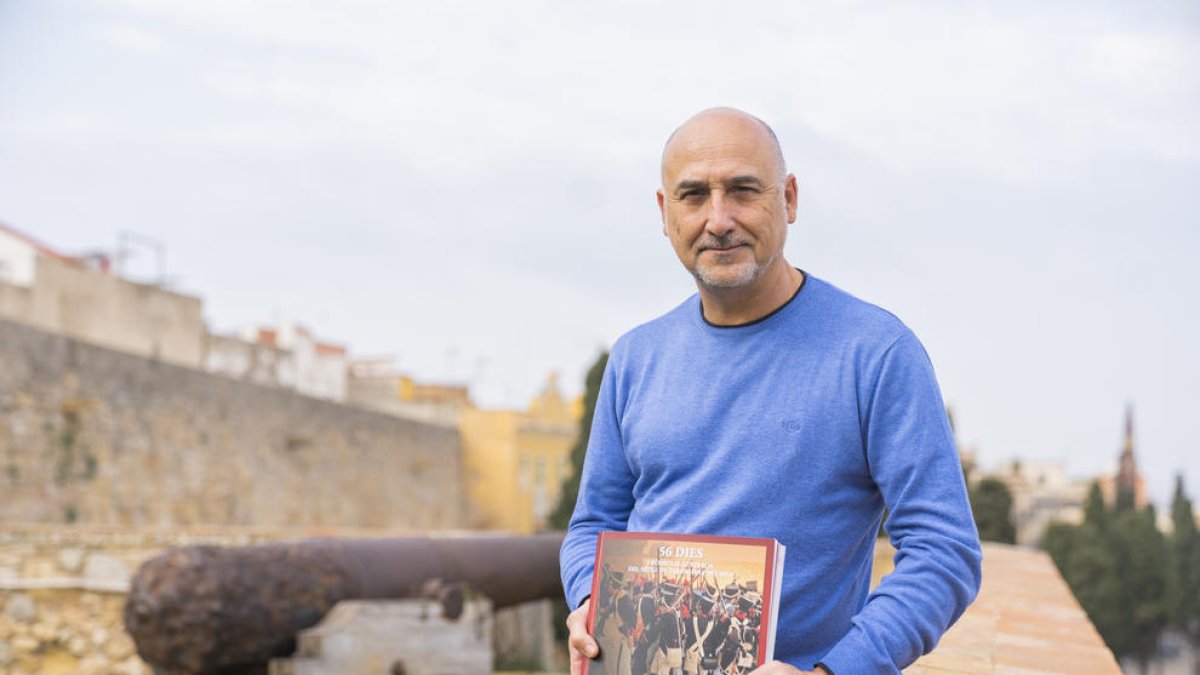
x: 675, y: 605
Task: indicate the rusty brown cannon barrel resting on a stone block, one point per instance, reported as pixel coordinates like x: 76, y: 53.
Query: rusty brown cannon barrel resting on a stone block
x: 230, y: 611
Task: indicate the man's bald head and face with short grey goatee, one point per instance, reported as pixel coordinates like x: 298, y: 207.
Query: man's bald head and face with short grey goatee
x: 725, y: 200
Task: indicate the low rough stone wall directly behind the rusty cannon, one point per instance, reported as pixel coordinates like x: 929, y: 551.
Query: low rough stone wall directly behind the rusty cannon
x: 63, y: 593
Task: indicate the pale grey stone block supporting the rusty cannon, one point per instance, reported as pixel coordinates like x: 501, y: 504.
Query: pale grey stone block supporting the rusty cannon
x: 410, y: 637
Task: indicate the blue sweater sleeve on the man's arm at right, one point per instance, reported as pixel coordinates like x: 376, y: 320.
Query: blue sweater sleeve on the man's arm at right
x: 914, y: 461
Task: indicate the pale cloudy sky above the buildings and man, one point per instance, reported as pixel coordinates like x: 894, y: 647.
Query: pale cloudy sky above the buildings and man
x: 469, y: 188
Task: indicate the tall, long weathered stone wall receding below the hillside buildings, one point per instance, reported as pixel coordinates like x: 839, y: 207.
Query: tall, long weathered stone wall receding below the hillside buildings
x: 95, y: 437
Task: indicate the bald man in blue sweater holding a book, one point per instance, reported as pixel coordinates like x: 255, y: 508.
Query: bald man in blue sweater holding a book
x: 773, y: 404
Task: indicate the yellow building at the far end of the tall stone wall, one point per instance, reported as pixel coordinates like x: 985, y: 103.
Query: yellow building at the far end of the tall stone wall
x: 515, y: 462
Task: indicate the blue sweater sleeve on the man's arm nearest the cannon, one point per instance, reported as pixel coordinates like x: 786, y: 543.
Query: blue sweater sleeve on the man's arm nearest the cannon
x: 607, y: 494
